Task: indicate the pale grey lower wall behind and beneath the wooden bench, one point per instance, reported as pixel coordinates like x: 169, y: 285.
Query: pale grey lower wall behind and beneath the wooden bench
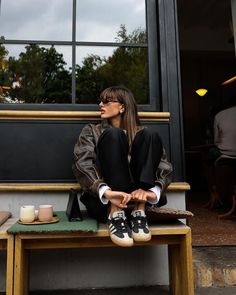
x: 88, y: 268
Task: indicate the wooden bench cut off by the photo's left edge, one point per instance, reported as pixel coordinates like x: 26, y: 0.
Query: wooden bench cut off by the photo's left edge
x: 7, y: 243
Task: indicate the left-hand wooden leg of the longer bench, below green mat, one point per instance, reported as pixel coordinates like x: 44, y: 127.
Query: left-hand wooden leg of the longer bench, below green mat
x: 20, y: 268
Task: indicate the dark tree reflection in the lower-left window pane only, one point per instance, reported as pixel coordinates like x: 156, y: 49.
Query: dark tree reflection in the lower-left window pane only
x: 38, y: 76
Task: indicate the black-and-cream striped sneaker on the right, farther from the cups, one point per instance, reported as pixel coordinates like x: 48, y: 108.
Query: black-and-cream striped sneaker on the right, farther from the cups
x: 139, y: 226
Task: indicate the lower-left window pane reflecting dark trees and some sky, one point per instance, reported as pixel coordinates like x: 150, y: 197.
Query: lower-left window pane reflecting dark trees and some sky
x: 35, y: 74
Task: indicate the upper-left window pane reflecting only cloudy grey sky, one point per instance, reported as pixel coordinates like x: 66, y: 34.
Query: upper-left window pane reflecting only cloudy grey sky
x: 36, y: 20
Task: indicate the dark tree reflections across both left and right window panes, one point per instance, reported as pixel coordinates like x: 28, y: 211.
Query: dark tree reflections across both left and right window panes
x: 39, y: 74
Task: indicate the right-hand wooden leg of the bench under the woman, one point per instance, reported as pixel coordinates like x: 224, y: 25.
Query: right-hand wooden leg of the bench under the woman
x: 181, y: 267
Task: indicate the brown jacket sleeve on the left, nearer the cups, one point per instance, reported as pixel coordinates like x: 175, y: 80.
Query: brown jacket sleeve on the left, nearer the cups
x: 84, y: 167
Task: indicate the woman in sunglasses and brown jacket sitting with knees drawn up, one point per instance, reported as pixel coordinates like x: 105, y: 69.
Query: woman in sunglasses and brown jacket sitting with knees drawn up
x: 119, y: 162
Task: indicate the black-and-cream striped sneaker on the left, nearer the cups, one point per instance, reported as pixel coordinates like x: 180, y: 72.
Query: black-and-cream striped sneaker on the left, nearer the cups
x: 120, y: 232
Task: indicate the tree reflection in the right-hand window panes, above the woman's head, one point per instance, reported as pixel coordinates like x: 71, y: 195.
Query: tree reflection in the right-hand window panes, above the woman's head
x: 126, y: 66
